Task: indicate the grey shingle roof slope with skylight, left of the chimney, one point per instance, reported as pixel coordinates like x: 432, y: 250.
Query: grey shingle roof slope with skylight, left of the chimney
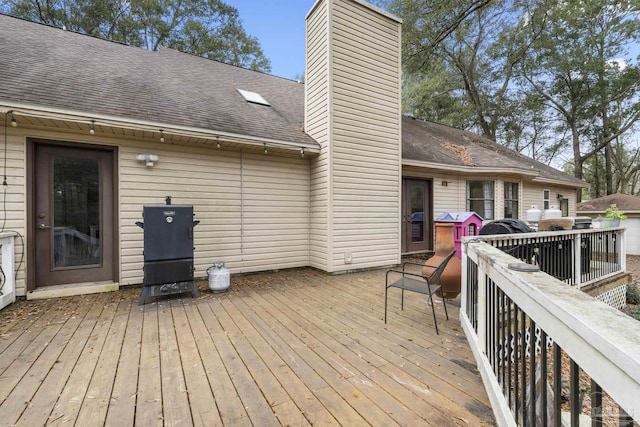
x: 40, y: 64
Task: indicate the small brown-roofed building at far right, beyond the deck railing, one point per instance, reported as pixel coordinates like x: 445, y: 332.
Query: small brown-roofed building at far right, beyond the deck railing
x: 630, y: 205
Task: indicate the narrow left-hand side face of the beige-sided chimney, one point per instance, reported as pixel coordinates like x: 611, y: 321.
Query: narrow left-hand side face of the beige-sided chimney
x: 317, y: 125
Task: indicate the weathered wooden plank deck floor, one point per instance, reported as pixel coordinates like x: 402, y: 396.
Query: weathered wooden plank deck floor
x: 289, y: 348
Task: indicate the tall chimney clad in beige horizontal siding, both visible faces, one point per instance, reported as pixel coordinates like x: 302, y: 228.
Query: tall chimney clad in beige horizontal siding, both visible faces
x: 353, y: 110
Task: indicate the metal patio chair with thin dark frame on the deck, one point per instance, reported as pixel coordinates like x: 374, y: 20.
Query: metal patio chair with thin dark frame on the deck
x: 420, y: 283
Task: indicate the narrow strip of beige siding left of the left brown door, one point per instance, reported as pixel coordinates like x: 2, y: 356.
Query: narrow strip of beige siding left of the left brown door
x: 13, y: 215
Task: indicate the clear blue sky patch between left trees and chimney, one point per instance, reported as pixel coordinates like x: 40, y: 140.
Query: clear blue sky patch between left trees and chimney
x: 279, y: 26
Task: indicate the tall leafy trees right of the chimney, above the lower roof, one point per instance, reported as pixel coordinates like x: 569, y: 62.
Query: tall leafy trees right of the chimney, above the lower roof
x: 543, y: 77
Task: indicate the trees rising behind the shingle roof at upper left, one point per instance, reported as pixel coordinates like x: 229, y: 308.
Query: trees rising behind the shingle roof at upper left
x: 208, y: 28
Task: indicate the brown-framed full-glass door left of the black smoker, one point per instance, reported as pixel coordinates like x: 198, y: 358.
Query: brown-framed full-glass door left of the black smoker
x: 73, y: 217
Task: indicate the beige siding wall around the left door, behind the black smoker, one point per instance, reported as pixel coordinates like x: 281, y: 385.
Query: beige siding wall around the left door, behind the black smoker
x: 253, y: 208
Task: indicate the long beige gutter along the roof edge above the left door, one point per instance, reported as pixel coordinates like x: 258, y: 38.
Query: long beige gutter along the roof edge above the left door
x: 54, y: 113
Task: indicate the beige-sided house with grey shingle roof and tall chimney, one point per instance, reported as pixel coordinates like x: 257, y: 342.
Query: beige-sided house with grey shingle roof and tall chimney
x: 327, y: 174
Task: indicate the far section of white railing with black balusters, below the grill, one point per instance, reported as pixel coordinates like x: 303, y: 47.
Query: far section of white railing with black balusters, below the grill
x: 577, y: 257
